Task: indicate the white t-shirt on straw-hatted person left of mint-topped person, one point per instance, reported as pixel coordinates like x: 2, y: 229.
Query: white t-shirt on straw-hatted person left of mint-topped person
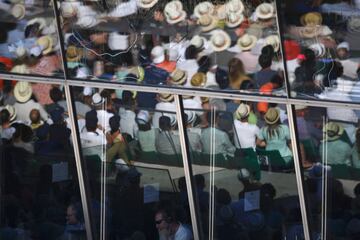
x: 246, y: 133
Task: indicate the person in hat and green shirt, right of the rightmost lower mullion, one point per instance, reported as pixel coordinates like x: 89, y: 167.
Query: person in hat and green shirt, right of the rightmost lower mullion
x: 336, y: 151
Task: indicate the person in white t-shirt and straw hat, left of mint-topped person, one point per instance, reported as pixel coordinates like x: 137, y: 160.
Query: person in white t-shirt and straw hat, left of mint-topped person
x: 245, y: 133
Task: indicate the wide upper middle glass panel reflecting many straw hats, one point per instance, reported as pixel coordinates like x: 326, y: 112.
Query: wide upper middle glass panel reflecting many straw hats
x: 227, y: 46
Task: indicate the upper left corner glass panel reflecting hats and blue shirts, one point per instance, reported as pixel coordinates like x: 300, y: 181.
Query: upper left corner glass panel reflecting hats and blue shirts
x: 29, y: 43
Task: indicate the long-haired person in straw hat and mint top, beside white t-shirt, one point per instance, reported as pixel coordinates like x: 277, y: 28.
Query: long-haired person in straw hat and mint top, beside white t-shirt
x: 275, y: 136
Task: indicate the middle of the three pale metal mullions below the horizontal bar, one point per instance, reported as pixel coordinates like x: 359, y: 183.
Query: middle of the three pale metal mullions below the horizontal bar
x: 190, y: 185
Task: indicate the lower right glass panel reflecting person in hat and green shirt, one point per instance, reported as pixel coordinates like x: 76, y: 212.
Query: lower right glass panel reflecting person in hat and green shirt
x: 329, y: 149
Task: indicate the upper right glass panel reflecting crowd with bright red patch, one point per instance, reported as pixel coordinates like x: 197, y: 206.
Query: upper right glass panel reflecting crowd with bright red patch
x: 322, y: 49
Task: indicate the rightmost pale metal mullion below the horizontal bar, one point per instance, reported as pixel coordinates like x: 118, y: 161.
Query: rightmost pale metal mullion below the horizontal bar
x: 298, y: 170
